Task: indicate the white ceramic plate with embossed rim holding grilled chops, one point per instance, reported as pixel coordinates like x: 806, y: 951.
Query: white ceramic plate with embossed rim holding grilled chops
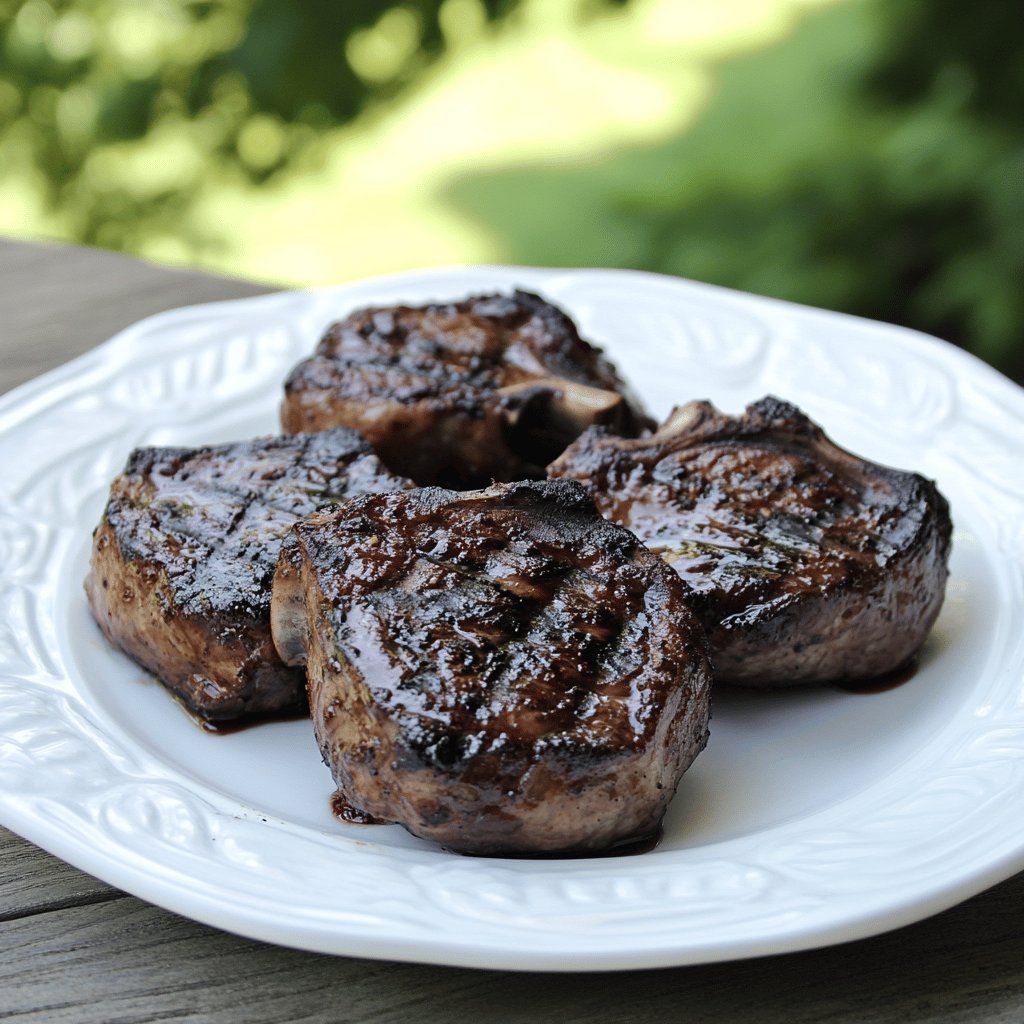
x: 812, y: 818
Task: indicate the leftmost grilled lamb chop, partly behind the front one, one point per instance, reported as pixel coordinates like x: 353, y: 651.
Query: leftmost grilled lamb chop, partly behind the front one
x: 184, y: 559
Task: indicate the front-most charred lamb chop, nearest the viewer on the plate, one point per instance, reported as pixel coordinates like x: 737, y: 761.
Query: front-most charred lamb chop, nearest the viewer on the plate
x: 500, y: 671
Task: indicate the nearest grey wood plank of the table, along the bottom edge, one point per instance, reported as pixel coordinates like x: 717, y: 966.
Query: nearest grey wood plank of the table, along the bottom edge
x: 129, y: 962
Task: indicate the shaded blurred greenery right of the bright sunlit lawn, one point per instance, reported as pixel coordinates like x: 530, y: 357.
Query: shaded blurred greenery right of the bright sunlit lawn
x: 872, y: 162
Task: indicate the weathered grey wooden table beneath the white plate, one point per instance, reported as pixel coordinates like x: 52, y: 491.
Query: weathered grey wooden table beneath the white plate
x: 73, y: 949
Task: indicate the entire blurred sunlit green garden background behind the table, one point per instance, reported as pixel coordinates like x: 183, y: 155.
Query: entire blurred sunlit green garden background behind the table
x: 866, y: 156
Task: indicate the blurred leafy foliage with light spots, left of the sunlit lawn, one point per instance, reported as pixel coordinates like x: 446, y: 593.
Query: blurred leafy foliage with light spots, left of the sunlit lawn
x: 244, y: 86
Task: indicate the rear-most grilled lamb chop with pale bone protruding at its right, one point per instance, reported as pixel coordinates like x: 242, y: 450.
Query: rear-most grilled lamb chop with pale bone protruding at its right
x: 461, y: 394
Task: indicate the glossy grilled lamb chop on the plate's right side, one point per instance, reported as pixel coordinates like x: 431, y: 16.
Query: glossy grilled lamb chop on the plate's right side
x: 808, y: 565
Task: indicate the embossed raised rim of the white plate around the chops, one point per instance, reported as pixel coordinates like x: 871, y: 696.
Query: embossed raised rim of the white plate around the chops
x: 75, y: 785
